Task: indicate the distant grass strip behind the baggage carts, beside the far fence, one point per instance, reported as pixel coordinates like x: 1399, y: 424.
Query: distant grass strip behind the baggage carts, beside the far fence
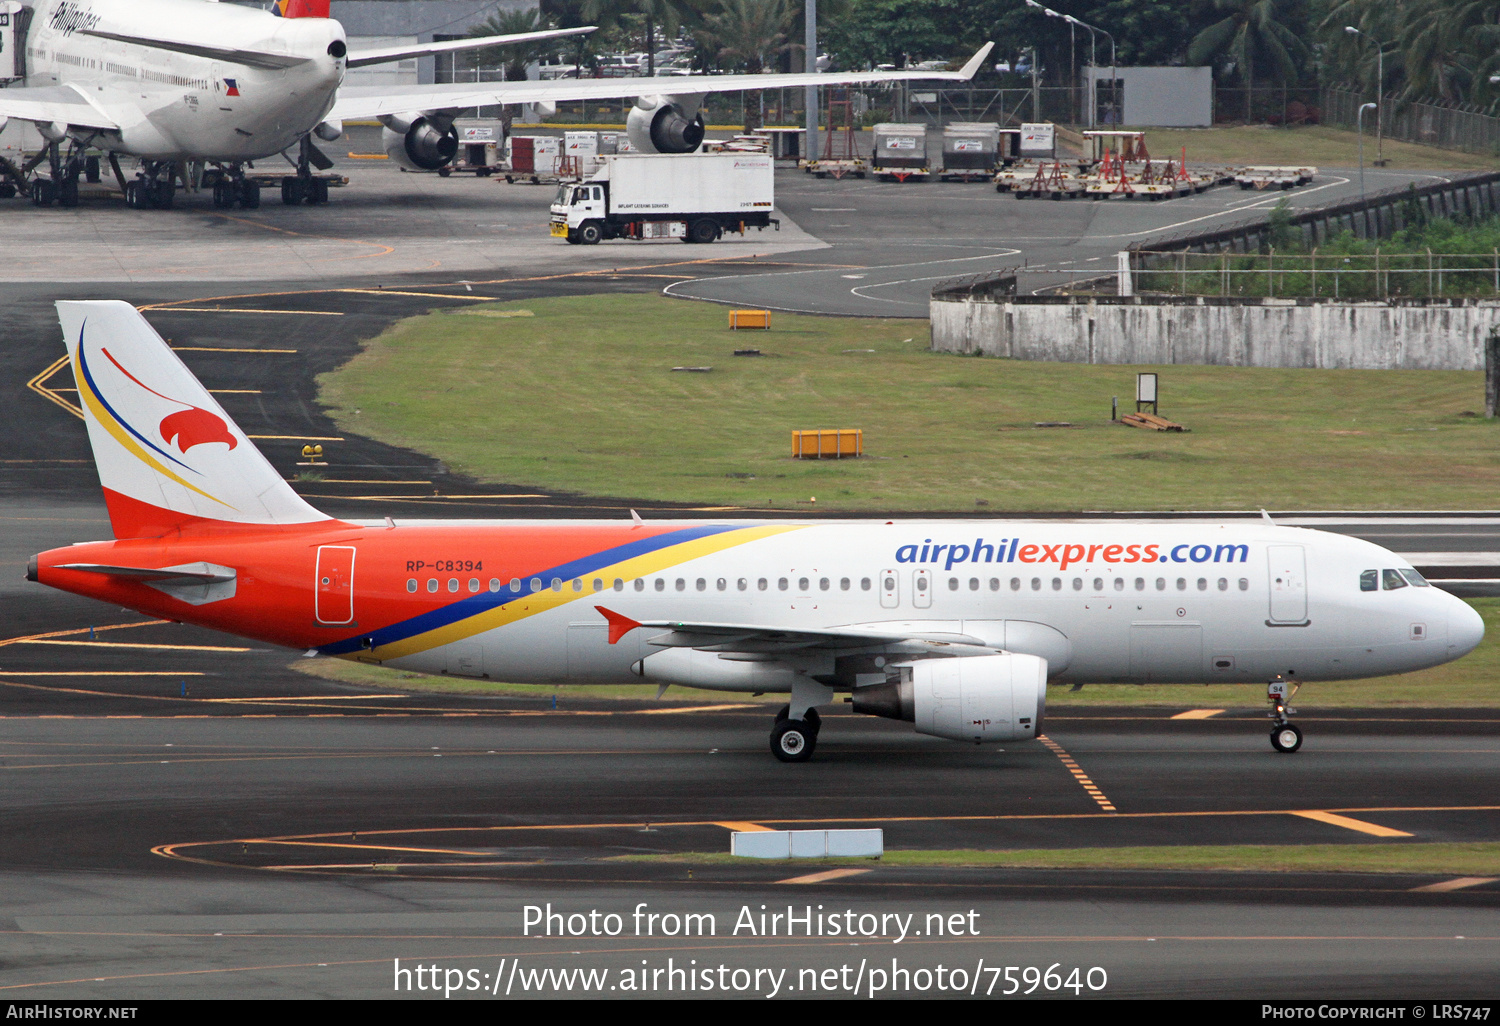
x: 1316, y: 145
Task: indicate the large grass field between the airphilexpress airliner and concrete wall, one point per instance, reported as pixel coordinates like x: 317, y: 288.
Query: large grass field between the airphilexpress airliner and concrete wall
x: 581, y: 397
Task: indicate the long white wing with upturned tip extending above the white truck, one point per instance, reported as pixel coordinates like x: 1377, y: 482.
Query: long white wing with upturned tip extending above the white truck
x: 373, y: 101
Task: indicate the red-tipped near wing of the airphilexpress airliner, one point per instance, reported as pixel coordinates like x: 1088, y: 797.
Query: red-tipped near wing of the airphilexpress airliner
x: 764, y: 638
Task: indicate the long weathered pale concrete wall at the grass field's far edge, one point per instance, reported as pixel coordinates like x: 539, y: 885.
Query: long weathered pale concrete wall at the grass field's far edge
x: 1415, y: 335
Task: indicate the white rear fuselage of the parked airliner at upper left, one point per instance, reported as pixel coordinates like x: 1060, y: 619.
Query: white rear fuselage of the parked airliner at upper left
x: 182, y: 107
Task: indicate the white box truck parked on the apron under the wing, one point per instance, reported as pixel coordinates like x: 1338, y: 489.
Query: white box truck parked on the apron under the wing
x: 695, y: 197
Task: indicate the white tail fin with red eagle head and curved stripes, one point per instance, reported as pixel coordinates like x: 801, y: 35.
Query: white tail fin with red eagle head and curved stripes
x: 167, y: 454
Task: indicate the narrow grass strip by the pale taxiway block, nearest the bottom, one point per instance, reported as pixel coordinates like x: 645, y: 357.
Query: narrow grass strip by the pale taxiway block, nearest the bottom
x: 1480, y: 859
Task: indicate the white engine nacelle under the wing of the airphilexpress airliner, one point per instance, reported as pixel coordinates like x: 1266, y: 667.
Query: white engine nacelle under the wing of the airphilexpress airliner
x: 979, y: 698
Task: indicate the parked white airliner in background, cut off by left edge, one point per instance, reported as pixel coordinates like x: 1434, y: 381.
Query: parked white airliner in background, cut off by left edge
x: 194, y: 82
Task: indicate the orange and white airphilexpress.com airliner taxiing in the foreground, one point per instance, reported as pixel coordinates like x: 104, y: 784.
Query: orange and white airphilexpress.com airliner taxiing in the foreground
x: 953, y: 626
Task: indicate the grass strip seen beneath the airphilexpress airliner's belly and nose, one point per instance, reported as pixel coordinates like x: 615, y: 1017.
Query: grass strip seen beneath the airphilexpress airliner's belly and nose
x: 1472, y: 682
